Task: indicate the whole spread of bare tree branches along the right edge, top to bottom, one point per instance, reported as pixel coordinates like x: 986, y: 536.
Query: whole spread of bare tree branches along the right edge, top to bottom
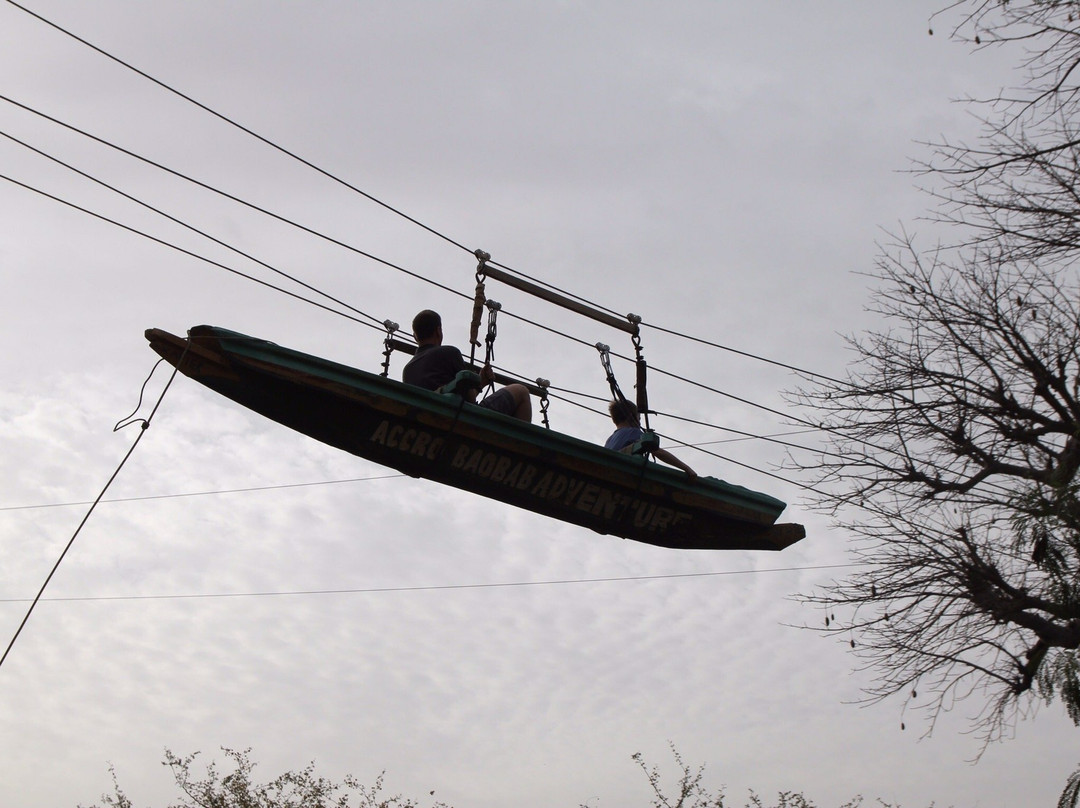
x: 955, y: 440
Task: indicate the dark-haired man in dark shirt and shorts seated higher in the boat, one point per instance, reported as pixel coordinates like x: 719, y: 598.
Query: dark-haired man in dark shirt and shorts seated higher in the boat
x: 436, y: 365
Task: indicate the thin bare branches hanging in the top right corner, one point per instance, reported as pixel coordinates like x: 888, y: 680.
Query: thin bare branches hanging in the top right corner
x: 1015, y: 193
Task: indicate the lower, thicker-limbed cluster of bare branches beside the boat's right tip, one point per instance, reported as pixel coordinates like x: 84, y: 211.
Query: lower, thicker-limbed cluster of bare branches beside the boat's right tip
x: 956, y: 446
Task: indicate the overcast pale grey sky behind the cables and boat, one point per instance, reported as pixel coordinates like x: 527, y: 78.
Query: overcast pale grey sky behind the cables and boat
x: 724, y: 170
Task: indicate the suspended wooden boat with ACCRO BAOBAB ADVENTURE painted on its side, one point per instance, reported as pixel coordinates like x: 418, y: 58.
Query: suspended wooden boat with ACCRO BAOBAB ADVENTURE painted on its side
x: 441, y: 438
